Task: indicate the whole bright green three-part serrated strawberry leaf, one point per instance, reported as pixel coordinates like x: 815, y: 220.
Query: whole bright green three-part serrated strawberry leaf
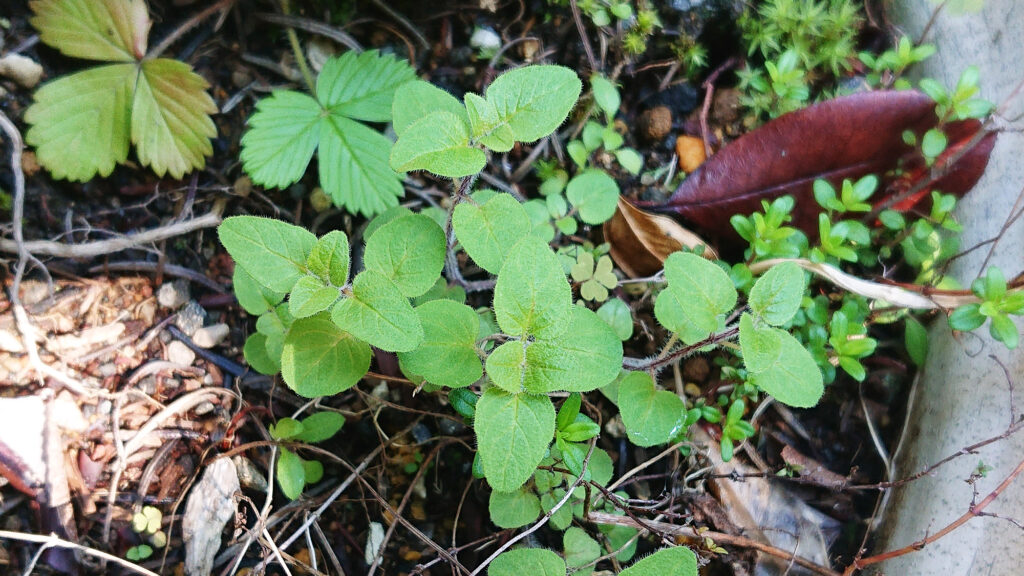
x: 289, y: 127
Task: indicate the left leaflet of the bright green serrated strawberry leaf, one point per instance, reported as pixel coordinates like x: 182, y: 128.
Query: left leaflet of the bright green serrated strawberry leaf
x: 282, y: 138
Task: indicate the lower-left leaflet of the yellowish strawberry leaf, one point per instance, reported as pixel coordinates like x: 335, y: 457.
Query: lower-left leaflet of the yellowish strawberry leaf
x: 81, y: 124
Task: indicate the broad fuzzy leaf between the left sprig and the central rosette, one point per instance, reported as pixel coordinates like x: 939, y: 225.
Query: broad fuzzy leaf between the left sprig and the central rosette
x: 448, y: 356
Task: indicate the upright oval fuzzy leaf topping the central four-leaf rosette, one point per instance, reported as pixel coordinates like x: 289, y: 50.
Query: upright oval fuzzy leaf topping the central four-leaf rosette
x: 532, y: 296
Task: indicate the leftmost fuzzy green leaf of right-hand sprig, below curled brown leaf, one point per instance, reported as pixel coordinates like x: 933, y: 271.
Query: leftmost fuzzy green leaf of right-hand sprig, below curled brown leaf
x: 698, y: 295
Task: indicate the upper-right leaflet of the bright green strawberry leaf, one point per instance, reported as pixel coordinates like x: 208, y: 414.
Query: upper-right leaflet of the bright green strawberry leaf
x: 362, y: 86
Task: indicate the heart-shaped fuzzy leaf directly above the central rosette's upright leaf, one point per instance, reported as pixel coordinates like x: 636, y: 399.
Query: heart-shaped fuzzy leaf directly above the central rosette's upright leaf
x: 488, y: 232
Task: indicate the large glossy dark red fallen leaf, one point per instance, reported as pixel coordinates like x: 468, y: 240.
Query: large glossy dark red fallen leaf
x: 846, y: 138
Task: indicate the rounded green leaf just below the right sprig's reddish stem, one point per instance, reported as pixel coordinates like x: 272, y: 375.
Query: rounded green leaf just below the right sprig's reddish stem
x: 651, y: 417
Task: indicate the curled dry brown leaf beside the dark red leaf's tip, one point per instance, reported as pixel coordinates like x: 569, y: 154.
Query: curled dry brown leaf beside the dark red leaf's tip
x: 641, y: 241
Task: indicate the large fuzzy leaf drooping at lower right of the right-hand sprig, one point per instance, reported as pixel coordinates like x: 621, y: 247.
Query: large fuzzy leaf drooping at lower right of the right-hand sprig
x: 780, y: 365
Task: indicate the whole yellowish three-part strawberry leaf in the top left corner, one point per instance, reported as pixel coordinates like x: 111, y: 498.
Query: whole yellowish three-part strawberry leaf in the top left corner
x: 82, y: 125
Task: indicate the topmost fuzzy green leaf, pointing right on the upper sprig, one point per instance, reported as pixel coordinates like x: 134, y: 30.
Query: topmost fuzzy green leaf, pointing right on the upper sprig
x: 535, y: 100
